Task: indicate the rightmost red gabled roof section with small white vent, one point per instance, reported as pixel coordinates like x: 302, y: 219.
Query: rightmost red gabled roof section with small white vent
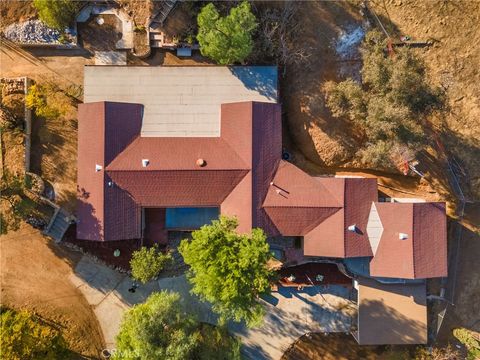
x: 413, y: 241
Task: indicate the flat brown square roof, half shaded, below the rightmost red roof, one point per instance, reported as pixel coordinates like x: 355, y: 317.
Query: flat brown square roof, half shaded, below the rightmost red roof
x: 391, y: 314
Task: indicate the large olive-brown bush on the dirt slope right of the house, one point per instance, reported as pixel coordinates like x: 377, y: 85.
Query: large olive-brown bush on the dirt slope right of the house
x: 389, y: 106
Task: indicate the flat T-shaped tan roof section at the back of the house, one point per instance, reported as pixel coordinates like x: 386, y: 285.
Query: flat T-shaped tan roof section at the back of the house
x: 180, y: 101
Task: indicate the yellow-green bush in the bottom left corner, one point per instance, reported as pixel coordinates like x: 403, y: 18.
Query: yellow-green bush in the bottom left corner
x: 25, y: 336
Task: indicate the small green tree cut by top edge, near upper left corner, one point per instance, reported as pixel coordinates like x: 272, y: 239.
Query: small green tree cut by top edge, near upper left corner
x: 57, y: 14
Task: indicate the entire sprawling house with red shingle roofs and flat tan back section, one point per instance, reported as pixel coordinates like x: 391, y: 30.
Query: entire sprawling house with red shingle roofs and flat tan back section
x: 186, y: 144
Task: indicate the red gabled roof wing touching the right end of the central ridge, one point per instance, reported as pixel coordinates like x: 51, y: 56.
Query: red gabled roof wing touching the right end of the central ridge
x: 253, y: 130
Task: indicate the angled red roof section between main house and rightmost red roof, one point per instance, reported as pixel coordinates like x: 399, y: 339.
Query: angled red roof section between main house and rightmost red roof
x: 321, y: 209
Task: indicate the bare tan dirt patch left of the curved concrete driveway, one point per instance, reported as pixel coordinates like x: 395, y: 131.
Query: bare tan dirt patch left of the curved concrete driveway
x: 35, y: 275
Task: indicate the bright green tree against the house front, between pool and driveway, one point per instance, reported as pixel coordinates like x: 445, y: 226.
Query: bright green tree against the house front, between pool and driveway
x: 229, y: 269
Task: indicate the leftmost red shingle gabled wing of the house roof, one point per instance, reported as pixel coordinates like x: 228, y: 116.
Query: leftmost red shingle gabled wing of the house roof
x: 104, y: 130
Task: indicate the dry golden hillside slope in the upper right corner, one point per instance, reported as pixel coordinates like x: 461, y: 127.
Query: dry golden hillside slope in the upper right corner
x: 452, y: 63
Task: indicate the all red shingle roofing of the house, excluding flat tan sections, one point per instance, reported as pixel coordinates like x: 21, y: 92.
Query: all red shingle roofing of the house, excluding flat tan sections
x: 239, y: 167
